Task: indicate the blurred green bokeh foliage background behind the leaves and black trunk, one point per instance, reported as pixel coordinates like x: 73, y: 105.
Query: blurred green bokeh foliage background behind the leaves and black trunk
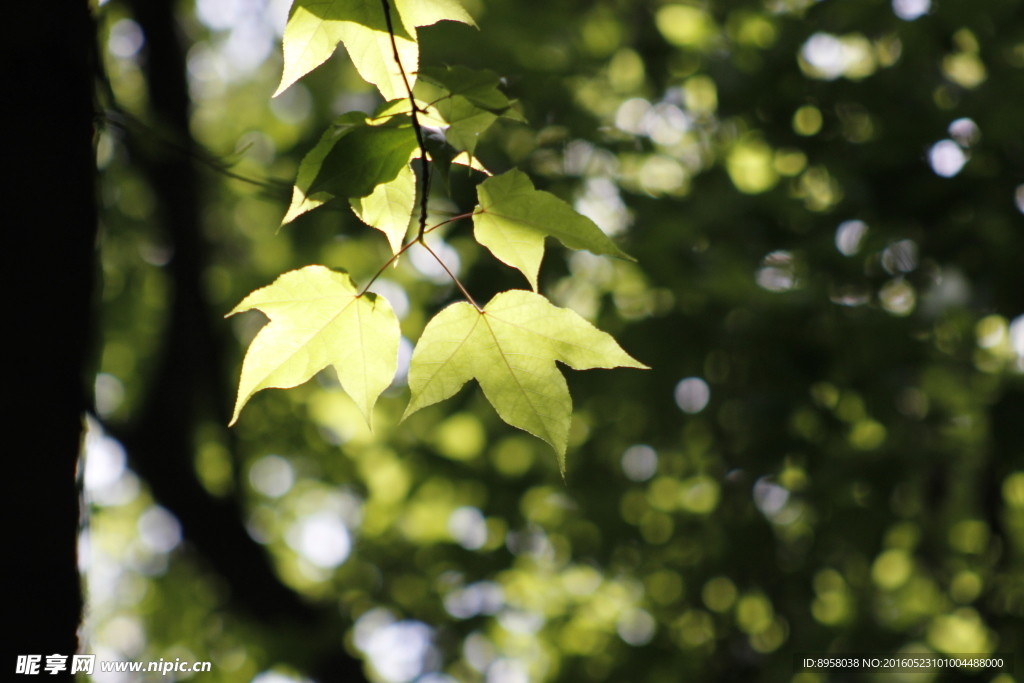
x: 825, y: 200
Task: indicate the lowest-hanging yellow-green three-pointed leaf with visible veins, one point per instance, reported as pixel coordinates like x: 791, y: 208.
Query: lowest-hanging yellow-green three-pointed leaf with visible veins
x: 510, y: 348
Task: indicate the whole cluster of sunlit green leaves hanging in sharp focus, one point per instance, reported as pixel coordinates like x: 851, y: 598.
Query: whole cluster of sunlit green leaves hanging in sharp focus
x: 320, y: 318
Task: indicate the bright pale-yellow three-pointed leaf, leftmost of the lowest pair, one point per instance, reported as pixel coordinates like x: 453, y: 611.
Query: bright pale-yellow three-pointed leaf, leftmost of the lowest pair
x: 319, y: 319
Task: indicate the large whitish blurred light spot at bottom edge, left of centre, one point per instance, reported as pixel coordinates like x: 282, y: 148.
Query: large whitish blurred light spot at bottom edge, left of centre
x: 397, y: 650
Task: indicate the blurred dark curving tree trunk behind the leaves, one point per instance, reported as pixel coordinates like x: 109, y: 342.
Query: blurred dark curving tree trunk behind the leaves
x: 189, y: 388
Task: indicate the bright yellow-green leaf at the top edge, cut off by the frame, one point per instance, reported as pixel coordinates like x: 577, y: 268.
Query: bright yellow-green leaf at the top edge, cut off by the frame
x: 316, y: 27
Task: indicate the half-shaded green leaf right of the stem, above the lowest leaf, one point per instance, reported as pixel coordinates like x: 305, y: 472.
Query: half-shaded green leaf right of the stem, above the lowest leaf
x: 514, y: 219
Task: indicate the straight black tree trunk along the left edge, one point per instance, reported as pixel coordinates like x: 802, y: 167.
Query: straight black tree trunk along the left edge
x: 50, y: 242
